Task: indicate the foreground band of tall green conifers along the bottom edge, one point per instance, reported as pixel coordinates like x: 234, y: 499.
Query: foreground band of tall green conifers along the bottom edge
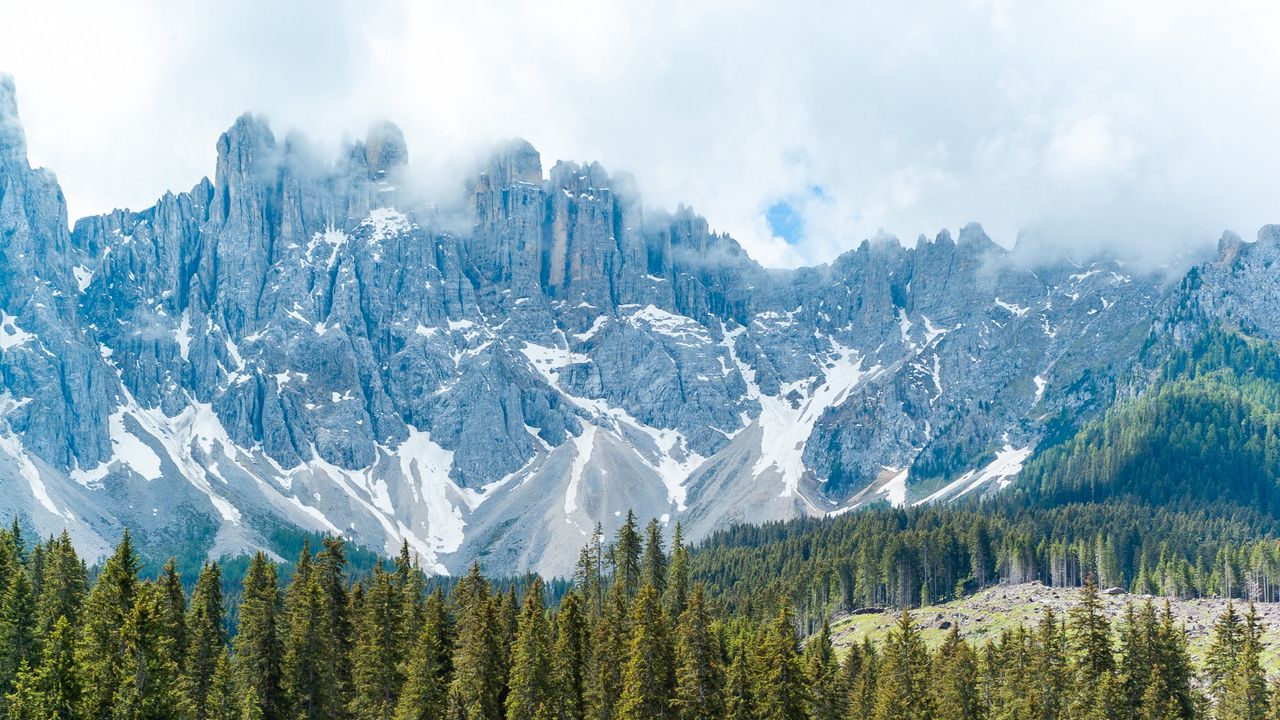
x: 634, y: 637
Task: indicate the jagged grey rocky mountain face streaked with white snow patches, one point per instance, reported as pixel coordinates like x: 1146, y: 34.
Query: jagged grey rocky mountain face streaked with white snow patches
x: 300, y: 343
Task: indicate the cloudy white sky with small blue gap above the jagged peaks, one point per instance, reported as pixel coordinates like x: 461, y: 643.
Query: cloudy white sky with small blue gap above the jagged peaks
x: 798, y: 127
